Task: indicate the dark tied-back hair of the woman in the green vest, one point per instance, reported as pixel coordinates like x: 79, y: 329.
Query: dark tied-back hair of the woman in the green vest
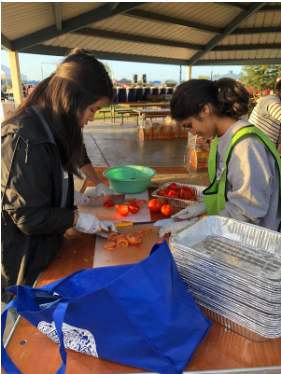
x: 227, y: 96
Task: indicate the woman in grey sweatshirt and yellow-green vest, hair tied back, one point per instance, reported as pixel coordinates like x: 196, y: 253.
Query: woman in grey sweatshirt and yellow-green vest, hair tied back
x: 244, y: 167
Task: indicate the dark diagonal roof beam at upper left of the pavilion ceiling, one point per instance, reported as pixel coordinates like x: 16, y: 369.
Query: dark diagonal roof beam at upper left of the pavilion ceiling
x: 70, y: 25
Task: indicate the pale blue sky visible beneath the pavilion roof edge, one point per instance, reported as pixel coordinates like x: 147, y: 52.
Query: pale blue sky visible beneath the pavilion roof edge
x: 31, y: 65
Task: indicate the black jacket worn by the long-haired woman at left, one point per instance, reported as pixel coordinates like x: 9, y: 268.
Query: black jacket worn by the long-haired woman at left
x: 33, y: 221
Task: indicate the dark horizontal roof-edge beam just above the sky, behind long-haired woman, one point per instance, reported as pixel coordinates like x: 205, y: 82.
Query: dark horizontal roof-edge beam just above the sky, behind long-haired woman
x: 60, y: 51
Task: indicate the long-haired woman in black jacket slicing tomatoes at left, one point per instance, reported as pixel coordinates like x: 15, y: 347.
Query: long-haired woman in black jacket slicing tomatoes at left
x: 42, y: 148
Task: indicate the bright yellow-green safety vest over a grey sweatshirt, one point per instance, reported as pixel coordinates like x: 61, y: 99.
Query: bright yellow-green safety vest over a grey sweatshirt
x: 215, y: 195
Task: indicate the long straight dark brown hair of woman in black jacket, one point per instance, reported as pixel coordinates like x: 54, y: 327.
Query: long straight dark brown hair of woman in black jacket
x: 79, y: 81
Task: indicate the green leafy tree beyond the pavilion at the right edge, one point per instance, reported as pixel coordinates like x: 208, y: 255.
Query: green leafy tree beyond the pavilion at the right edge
x: 260, y: 77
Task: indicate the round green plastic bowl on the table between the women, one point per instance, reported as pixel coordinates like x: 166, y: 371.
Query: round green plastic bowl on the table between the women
x: 129, y: 178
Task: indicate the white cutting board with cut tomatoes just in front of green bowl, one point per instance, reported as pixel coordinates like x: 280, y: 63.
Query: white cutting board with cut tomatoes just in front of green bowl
x: 111, y: 214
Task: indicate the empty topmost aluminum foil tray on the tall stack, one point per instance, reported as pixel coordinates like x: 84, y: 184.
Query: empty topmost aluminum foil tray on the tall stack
x: 252, y: 252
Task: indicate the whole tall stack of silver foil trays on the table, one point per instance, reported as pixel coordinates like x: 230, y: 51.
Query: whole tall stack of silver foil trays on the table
x: 233, y: 271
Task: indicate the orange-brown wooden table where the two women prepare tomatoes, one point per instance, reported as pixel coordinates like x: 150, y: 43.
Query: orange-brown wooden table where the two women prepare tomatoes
x: 33, y: 352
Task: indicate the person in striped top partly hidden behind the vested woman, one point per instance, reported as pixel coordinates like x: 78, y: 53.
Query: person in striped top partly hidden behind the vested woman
x: 267, y: 115
